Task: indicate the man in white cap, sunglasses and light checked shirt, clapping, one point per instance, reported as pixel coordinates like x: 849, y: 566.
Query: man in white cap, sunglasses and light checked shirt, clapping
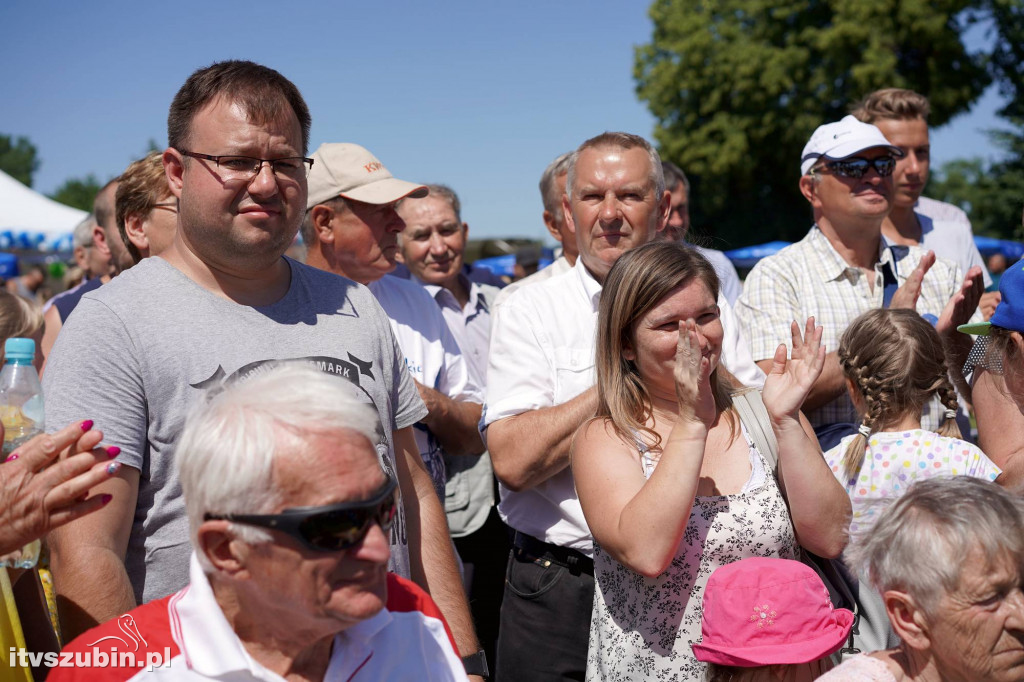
x: 843, y: 269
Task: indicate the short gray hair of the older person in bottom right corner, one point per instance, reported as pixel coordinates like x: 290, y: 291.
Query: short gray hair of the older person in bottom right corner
x: 918, y: 544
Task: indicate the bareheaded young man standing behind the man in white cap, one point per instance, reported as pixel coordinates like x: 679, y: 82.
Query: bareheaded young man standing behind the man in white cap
x: 903, y: 118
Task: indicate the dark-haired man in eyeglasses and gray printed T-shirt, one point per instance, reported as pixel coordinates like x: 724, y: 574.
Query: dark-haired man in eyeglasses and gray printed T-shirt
x: 221, y: 304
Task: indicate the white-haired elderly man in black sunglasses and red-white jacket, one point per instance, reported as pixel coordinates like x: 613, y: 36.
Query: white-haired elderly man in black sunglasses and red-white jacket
x: 289, y: 509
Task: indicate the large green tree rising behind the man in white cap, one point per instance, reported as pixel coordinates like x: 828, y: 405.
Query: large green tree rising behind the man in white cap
x: 738, y: 87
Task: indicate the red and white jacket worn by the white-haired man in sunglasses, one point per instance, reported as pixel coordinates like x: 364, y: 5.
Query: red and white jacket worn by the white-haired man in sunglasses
x: 185, y: 637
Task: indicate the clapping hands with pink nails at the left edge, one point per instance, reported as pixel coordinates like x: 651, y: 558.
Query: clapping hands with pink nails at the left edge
x: 38, y: 495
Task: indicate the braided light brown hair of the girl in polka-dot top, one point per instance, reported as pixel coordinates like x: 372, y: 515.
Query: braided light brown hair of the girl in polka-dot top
x: 898, y: 363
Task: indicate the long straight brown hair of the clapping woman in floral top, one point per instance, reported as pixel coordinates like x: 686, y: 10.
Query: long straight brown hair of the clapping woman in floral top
x: 637, y: 283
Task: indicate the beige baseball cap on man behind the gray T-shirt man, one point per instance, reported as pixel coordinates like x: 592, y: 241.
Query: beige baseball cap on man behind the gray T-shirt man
x: 351, y: 172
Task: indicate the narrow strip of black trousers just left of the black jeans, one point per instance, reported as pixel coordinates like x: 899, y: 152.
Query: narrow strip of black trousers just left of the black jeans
x: 484, y: 556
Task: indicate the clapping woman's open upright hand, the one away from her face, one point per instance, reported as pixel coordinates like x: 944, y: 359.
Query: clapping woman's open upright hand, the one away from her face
x: 790, y: 381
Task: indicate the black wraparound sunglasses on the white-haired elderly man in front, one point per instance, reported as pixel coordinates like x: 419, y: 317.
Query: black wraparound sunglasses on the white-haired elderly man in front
x: 331, y: 528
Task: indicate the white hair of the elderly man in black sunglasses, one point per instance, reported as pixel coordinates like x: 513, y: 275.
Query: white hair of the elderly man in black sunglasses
x: 226, y: 455
